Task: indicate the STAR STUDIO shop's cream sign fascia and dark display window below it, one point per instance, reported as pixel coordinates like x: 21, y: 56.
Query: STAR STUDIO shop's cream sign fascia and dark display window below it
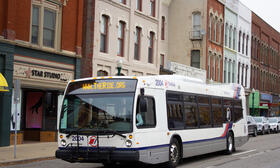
x: 42, y: 85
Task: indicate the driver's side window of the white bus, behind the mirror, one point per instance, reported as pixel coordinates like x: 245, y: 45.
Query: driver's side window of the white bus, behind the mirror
x: 146, y: 119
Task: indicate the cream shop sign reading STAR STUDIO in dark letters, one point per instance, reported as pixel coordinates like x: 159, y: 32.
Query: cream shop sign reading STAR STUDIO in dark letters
x: 42, y: 73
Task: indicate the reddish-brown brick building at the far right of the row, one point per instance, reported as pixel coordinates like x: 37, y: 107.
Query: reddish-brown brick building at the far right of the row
x: 265, y: 78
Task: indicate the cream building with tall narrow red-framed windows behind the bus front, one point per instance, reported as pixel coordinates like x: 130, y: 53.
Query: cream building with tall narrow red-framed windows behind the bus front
x: 132, y: 31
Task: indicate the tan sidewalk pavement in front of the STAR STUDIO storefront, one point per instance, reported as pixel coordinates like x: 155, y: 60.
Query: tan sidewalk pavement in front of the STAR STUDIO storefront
x: 27, y: 153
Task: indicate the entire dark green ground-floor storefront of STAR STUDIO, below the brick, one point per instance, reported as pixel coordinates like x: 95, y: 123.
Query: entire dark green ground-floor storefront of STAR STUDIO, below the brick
x: 43, y: 77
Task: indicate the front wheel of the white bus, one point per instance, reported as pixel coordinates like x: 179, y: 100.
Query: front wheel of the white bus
x: 174, y: 153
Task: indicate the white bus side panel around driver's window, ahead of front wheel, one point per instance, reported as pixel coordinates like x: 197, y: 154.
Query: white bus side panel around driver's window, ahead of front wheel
x: 153, y: 143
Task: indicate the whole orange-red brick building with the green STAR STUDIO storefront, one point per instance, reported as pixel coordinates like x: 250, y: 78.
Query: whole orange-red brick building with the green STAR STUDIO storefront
x: 40, y: 44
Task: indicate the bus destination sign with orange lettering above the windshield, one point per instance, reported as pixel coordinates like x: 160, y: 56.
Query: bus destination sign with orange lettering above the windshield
x: 102, y: 86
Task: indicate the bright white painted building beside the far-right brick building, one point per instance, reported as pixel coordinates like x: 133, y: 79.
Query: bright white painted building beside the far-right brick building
x: 237, y: 43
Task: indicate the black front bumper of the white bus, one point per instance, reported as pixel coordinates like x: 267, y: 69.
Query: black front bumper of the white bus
x: 74, y: 154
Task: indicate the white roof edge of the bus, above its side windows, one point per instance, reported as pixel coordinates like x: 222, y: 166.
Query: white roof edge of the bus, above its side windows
x: 181, y: 83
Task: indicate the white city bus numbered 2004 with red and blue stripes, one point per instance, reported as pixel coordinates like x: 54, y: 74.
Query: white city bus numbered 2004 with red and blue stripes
x: 149, y: 119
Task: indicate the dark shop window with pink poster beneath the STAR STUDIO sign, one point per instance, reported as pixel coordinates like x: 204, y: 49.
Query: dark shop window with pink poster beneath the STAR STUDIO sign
x: 40, y: 115
